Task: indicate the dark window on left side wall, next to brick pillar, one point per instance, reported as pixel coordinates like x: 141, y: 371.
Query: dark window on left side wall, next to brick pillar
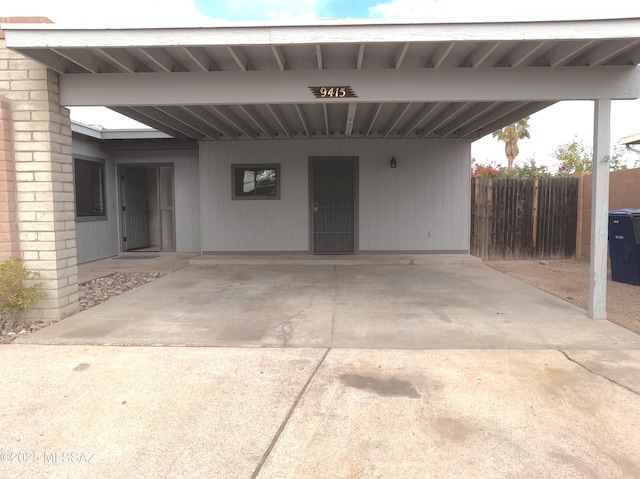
x: 90, y: 190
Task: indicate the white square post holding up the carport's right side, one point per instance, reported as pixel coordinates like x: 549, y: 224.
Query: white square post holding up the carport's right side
x: 600, y: 210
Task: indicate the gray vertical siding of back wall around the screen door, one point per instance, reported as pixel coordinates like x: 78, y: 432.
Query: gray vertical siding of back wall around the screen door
x: 423, y: 205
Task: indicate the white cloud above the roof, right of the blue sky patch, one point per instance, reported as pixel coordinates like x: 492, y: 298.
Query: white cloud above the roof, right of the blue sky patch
x: 502, y: 8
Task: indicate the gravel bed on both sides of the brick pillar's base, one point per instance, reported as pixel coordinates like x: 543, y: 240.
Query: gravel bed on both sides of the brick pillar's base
x: 91, y: 294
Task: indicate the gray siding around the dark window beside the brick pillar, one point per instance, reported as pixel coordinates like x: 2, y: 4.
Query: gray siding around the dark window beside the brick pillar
x: 97, y: 239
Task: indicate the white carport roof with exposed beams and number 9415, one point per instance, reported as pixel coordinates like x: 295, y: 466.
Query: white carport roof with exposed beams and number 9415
x: 441, y: 79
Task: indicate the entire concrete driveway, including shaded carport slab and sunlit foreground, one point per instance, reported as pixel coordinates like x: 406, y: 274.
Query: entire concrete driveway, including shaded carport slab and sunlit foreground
x: 433, y: 370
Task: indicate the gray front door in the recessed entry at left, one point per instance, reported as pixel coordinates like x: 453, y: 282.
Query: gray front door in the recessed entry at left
x: 135, y: 209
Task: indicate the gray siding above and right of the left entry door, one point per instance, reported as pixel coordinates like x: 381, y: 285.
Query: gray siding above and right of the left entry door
x: 187, y: 192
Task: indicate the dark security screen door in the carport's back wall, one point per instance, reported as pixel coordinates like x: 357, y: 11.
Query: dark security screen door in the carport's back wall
x: 333, y: 185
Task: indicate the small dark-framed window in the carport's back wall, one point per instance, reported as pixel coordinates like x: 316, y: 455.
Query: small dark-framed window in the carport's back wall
x: 255, y: 182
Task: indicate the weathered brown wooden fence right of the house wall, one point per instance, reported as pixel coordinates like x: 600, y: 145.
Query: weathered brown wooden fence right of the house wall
x: 519, y: 219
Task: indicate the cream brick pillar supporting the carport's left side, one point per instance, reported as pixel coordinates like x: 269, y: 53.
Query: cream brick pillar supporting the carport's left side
x: 40, y: 133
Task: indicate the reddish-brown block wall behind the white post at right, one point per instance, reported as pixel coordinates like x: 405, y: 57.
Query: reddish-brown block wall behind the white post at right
x: 624, y: 192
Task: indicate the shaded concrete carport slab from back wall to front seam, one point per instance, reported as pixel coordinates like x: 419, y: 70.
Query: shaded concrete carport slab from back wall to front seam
x: 396, y: 302
